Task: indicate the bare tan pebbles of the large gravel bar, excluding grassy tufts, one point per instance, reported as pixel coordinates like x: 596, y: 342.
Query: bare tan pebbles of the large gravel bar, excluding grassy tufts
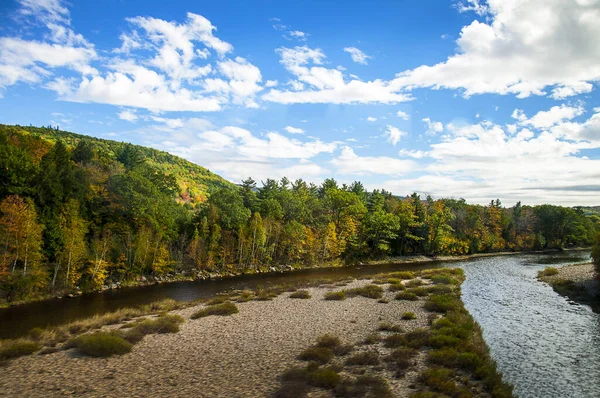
x: 240, y: 355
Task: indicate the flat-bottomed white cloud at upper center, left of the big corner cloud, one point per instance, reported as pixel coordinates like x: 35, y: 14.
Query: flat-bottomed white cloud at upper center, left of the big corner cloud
x: 326, y: 85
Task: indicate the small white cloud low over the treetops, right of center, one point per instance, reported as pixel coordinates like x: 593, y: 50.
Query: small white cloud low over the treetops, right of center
x: 350, y: 163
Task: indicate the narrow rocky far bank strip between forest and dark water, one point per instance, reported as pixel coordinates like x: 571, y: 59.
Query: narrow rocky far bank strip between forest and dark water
x: 183, y: 277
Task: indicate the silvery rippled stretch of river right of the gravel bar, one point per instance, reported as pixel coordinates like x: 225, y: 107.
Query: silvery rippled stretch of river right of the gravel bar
x: 545, y: 345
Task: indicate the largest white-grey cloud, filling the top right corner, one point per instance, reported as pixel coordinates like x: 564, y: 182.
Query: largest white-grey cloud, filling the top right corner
x: 526, y: 48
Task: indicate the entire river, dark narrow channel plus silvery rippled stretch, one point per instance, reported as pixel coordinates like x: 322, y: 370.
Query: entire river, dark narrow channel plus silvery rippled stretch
x: 545, y: 345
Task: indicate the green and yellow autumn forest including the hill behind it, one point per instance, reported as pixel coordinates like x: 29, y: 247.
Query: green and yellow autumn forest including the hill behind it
x: 78, y: 213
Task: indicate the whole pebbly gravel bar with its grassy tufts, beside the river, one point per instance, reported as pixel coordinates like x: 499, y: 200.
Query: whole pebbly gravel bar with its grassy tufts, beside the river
x: 281, y: 341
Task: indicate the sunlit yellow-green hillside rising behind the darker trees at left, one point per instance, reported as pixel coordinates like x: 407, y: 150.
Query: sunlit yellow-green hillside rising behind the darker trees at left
x: 195, y: 182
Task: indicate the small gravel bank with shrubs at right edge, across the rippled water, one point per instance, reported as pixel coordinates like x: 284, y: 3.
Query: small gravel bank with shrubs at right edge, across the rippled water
x: 578, y: 282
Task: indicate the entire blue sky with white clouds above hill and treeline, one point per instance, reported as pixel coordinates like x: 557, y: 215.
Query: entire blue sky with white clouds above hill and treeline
x: 468, y: 99
